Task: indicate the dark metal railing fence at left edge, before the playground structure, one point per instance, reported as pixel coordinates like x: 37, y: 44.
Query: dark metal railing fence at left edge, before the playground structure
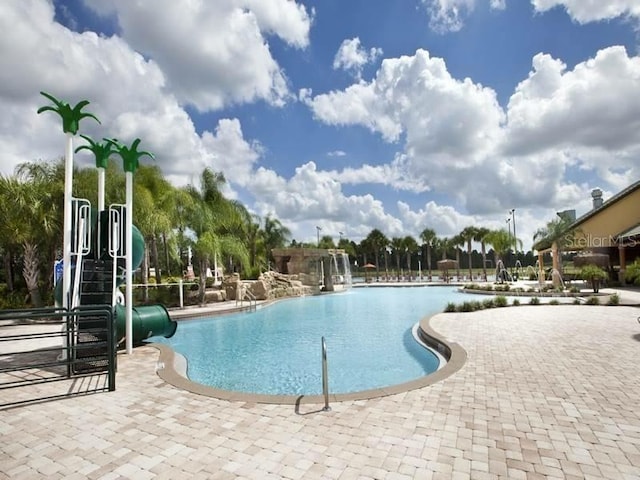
x: 43, y: 346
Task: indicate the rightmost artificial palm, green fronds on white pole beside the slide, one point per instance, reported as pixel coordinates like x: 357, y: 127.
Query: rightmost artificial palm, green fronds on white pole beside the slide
x: 130, y: 161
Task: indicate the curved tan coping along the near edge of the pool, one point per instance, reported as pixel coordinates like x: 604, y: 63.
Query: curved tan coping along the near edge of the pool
x: 171, y: 366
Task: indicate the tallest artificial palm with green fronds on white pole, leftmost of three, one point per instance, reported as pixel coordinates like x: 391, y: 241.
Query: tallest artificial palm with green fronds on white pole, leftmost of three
x: 71, y: 118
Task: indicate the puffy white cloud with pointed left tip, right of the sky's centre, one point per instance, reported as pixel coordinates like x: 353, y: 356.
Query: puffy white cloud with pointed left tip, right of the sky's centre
x: 444, y: 121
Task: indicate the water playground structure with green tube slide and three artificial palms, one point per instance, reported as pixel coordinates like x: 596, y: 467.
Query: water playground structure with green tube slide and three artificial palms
x: 98, y: 251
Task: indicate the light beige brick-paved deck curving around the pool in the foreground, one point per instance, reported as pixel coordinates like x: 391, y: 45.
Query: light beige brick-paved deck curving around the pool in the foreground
x: 546, y: 392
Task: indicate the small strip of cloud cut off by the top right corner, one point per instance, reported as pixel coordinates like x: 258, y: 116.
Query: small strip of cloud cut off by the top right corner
x: 588, y: 11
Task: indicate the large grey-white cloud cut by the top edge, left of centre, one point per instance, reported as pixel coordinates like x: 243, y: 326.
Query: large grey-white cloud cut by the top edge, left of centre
x: 214, y: 53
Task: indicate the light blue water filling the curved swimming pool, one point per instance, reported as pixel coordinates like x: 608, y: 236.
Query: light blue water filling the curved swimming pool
x: 277, y: 349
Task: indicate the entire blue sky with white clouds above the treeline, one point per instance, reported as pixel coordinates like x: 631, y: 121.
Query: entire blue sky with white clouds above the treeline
x: 349, y: 115
